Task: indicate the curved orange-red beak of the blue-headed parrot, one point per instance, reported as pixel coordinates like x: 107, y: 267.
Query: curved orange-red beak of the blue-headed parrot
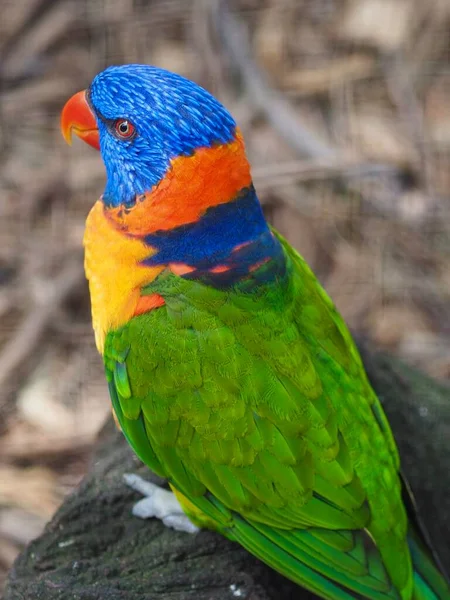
x: 78, y: 118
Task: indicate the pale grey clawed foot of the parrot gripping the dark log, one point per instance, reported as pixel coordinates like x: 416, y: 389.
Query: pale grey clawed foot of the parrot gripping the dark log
x: 158, y: 503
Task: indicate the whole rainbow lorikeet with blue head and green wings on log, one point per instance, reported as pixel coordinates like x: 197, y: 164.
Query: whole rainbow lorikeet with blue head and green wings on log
x: 230, y: 371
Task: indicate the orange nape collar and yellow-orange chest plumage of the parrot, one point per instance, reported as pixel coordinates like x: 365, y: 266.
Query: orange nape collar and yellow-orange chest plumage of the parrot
x: 114, y: 240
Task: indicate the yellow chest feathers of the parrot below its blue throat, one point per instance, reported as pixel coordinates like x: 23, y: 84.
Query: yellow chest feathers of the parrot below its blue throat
x: 112, y: 266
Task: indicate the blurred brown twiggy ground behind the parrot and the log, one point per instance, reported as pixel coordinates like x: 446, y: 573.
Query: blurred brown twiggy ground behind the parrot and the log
x: 344, y: 105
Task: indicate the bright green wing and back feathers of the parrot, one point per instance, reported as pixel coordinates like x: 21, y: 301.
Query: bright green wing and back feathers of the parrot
x: 254, y: 404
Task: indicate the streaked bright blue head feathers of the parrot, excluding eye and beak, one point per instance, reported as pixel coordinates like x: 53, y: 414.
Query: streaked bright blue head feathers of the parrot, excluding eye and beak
x: 172, y: 117
